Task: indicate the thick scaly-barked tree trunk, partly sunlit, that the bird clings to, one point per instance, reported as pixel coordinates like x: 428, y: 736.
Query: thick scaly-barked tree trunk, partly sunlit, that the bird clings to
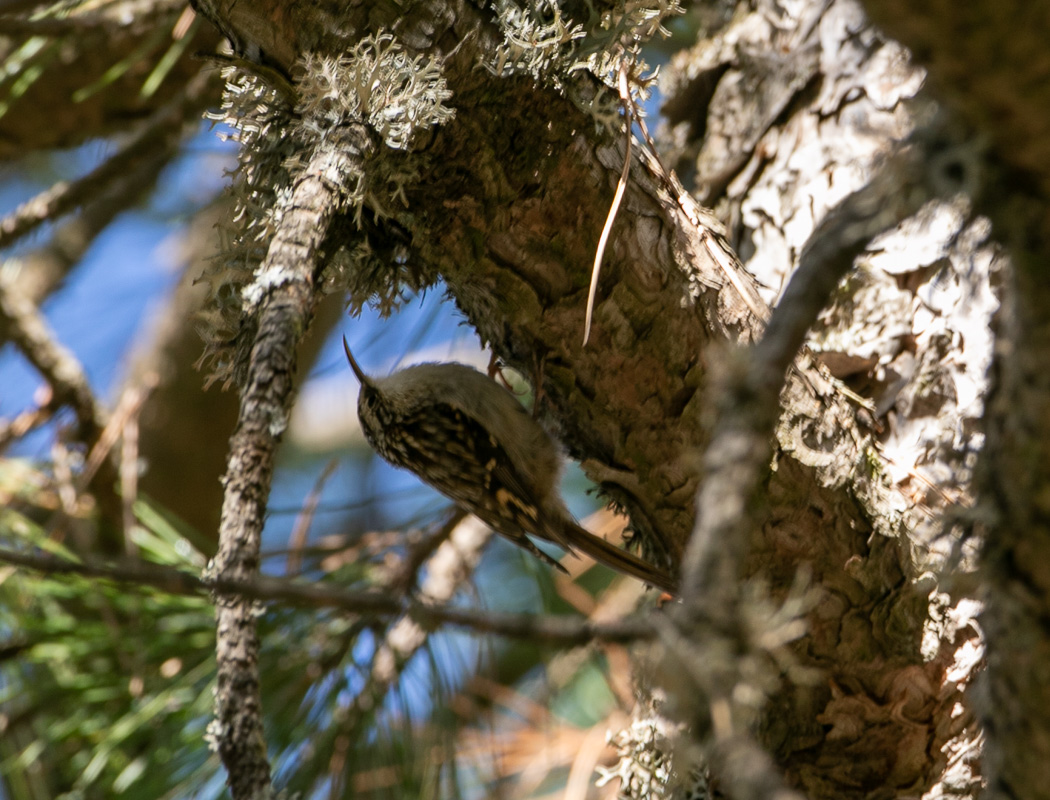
x: 781, y: 115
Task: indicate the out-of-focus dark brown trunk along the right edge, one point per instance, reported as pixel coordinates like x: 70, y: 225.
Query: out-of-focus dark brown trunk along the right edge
x: 990, y: 62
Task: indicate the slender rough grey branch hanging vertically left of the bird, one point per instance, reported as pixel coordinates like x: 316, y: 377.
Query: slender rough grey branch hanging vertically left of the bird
x: 288, y: 296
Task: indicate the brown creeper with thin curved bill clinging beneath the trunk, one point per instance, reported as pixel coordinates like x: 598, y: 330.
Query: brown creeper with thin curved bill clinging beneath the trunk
x: 468, y: 437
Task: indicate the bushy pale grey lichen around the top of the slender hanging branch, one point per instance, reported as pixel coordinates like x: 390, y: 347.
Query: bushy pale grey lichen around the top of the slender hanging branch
x: 379, y: 83
